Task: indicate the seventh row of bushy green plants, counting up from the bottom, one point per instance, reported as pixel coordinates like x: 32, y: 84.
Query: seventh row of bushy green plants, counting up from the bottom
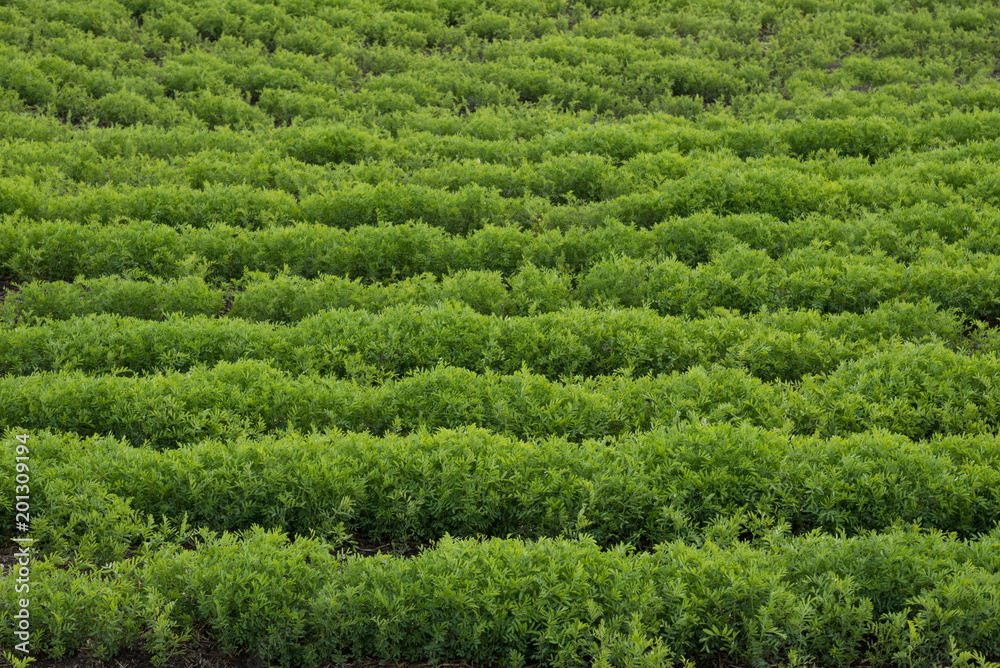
x: 718, y: 182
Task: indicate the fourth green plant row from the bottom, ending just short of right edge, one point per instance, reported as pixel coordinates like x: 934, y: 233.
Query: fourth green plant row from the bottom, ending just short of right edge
x: 573, y: 342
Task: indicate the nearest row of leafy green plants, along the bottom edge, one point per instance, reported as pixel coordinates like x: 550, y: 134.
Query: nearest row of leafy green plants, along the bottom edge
x: 898, y: 597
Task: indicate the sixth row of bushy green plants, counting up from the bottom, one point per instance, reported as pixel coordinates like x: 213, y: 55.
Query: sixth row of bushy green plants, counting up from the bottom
x: 62, y: 250
